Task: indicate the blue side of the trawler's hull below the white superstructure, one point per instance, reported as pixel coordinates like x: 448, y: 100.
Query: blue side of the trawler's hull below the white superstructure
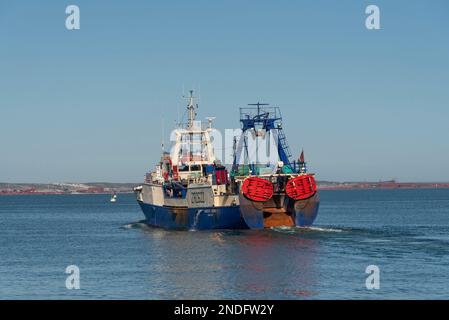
x: 193, y: 218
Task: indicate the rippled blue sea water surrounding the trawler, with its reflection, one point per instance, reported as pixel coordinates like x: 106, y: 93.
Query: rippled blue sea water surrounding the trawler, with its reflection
x: 403, y: 232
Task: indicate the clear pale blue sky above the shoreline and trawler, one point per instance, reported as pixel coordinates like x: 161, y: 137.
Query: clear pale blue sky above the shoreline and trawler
x: 87, y: 105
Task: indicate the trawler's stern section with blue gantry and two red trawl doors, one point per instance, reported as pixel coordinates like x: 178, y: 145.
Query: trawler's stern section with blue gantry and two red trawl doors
x: 277, y: 192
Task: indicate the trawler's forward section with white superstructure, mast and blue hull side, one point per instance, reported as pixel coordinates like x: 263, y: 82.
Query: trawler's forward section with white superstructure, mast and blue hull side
x: 190, y: 188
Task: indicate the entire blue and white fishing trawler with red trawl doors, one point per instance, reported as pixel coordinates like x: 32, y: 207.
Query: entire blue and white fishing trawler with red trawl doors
x: 191, y: 189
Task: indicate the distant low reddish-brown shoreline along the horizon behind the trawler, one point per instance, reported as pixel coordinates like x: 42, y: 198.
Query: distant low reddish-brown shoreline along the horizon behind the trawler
x: 12, y: 189
